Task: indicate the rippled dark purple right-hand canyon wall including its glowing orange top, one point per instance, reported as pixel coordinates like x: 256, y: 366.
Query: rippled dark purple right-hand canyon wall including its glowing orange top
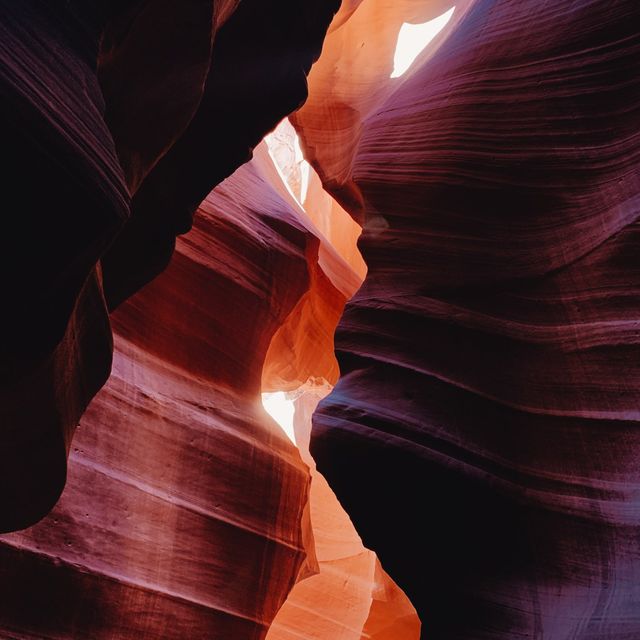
x: 484, y: 433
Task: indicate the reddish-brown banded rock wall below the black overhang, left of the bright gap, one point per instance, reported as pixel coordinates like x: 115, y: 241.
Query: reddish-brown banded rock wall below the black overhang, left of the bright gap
x: 183, y: 513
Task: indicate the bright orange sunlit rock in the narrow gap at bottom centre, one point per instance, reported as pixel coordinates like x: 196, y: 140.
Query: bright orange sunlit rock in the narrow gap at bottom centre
x: 350, y: 597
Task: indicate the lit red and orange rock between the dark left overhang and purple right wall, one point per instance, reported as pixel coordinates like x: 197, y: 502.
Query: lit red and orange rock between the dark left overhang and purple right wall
x: 177, y: 462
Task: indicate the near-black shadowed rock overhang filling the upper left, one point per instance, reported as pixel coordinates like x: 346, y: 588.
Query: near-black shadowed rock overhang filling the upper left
x: 69, y: 70
